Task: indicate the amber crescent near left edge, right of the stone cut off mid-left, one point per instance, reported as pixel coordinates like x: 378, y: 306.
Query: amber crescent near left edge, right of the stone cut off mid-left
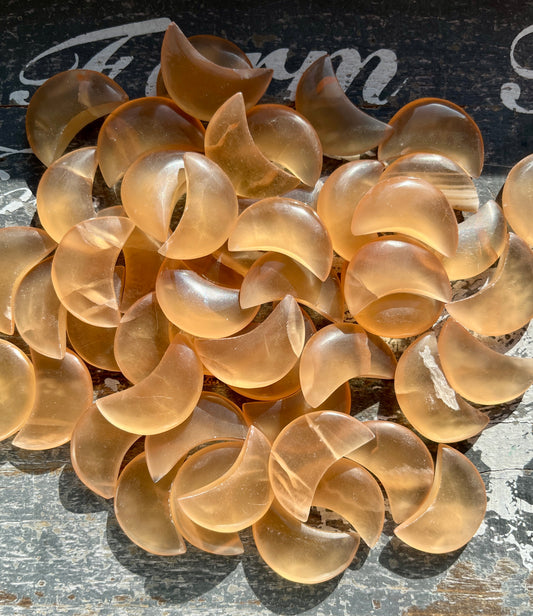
x: 39, y: 315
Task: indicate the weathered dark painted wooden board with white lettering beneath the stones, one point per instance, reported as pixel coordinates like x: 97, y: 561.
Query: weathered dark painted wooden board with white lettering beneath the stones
x: 61, y: 550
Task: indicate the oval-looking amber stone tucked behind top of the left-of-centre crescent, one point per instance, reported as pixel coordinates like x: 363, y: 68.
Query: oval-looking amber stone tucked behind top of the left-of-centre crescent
x: 141, y: 339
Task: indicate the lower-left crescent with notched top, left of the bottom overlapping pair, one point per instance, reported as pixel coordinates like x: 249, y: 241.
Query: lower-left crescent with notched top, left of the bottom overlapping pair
x: 143, y: 510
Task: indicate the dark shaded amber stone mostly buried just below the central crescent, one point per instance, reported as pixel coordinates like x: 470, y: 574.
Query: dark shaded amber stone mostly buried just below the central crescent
x: 272, y: 416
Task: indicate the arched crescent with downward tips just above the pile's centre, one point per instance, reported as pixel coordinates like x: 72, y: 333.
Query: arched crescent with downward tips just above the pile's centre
x: 287, y: 226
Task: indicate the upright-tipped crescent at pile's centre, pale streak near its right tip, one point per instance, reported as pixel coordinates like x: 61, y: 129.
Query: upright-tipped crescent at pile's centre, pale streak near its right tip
x: 259, y: 357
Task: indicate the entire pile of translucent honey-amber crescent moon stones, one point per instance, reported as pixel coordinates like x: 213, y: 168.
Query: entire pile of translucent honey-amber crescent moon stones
x: 228, y: 257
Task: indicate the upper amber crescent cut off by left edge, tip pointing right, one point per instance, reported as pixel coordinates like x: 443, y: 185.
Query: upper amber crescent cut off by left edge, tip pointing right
x: 21, y: 248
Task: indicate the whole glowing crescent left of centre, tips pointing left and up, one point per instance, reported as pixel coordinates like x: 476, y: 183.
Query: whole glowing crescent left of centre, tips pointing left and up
x: 163, y: 399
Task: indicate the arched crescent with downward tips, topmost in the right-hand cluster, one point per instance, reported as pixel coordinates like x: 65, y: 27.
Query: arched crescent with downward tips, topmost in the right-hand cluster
x: 410, y: 206
